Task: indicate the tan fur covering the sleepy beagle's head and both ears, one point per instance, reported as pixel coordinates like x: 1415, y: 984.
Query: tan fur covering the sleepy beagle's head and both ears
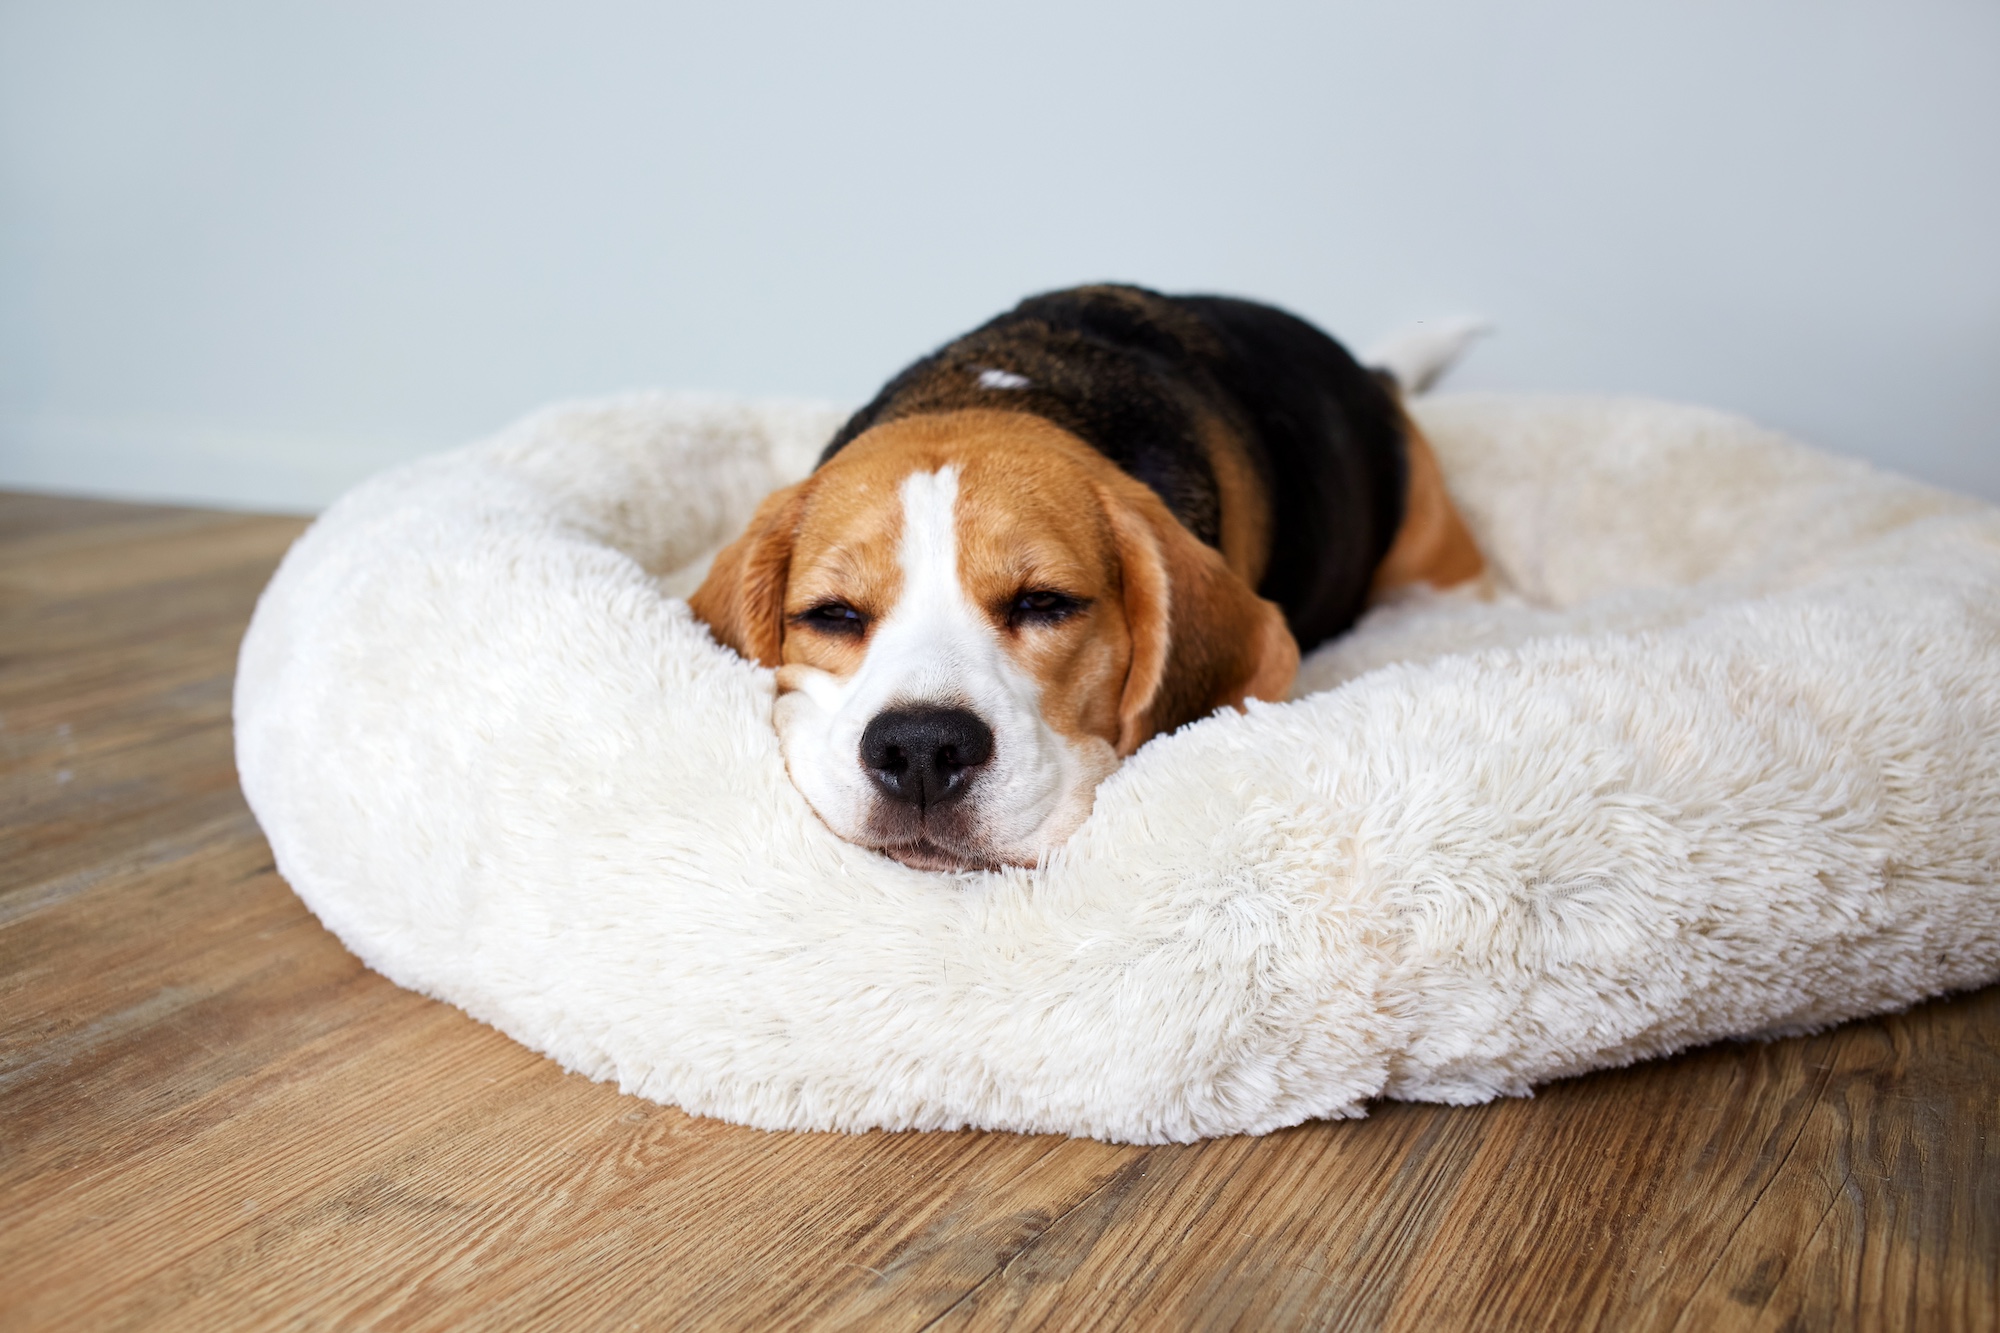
x: 1169, y: 629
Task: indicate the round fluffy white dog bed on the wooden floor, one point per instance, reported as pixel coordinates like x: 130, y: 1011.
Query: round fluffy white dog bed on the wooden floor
x: 1725, y: 760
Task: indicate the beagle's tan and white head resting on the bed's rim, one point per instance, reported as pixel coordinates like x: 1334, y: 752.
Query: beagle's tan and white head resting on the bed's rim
x: 975, y: 617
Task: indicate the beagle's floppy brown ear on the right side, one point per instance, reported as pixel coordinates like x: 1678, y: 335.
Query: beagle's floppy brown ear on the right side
x: 1201, y: 637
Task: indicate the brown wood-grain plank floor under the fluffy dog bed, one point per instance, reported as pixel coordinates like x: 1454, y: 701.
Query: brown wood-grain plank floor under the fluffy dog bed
x: 211, y: 1116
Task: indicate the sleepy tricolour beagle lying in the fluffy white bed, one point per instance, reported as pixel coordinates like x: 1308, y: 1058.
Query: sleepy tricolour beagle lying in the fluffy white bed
x: 1099, y: 517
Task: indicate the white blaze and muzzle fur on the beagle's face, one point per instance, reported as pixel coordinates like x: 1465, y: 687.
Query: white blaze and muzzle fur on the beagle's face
x: 937, y: 647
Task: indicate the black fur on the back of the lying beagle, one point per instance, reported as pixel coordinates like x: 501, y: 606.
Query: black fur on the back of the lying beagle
x: 1137, y: 375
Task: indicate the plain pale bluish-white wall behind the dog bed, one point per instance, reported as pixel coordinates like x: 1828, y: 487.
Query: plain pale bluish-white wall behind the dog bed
x: 251, y: 253
